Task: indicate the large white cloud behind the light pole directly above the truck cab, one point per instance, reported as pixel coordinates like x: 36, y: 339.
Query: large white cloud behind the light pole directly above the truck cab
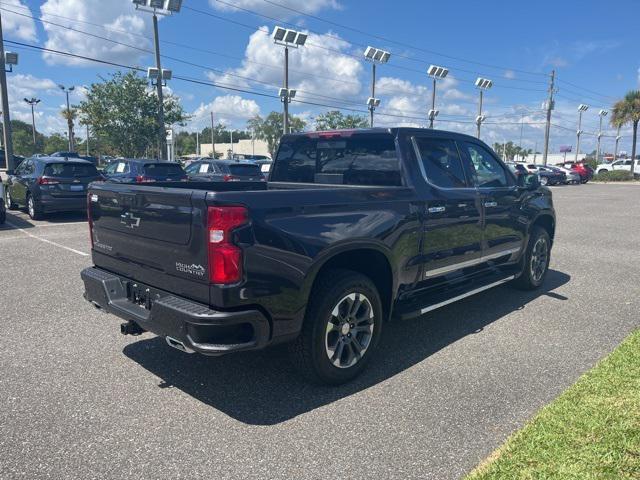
x: 316, y: 73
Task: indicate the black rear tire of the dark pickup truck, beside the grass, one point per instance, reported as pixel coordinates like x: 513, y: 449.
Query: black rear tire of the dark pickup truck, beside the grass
x: 310, y: 351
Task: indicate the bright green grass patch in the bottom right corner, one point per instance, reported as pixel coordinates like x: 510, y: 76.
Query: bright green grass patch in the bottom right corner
x: 592, y: 431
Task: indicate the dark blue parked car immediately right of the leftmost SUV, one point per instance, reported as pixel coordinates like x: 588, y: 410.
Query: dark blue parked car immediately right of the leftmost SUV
x: 127, y: 170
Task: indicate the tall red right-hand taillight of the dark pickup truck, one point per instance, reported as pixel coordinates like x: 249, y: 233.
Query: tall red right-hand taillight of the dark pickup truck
x: 225, y: 258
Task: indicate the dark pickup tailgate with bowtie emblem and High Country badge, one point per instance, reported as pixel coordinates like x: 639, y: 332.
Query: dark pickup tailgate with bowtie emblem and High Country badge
x: 154, y: 235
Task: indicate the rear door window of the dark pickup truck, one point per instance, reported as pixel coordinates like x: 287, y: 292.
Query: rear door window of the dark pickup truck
x: 441, y: 162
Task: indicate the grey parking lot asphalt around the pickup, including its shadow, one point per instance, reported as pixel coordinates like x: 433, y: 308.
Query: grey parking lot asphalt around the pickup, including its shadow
x: 79, y: 400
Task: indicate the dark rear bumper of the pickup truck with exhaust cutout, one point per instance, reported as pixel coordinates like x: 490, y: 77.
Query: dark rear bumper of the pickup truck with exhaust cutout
x: 196, y: 326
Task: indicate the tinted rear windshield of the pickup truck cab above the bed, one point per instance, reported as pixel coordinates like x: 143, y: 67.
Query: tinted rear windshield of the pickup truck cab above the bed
x: 356, y: 160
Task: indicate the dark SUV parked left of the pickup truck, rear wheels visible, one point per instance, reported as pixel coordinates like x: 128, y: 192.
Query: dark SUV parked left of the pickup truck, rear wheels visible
x: 50, y: 184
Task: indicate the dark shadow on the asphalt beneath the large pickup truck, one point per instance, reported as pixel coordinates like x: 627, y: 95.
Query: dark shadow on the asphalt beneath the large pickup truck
x: 261, y: 388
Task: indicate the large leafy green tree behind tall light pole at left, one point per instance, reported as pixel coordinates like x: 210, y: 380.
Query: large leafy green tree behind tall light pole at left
x: 122, y: 112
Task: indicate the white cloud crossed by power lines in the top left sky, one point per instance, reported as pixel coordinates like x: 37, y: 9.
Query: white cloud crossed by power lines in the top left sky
x: 117, y: 15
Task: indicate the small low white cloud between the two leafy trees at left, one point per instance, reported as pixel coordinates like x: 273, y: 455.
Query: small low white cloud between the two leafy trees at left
x: 231, y: 110
